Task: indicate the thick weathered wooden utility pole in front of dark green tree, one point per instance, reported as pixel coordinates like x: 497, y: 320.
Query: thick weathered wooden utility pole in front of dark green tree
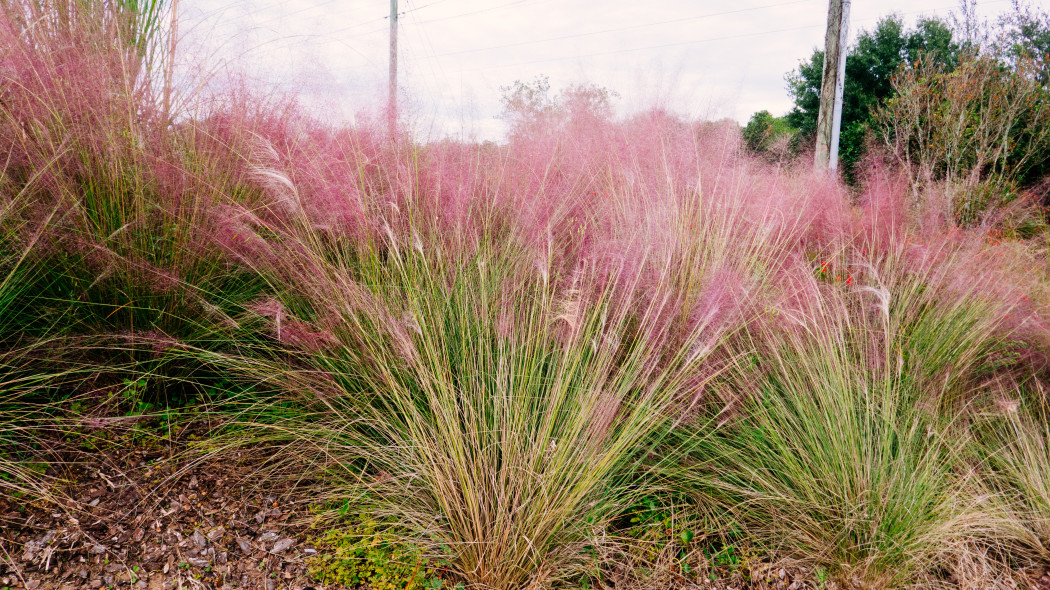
x: 830, y: 117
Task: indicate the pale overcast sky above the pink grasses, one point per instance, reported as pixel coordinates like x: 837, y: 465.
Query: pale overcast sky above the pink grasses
x: 703, y: 58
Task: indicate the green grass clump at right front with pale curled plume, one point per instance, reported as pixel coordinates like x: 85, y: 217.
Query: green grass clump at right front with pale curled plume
x: 849, y: 455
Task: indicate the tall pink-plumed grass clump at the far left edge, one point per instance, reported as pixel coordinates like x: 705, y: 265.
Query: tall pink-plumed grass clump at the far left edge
x: 108, y: 201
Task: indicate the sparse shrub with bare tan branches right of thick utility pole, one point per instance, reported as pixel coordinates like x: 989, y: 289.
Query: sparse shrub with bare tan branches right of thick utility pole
x: 980, y: 129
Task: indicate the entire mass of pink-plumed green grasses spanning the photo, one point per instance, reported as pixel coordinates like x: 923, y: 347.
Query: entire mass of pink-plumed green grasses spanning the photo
x: 620, y: 352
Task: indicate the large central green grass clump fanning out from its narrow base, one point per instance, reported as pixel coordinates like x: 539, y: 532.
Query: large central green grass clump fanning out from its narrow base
x: 490, y: 406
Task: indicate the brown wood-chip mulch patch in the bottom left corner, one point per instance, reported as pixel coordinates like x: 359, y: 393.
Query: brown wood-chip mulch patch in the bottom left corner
x: 144, y: 514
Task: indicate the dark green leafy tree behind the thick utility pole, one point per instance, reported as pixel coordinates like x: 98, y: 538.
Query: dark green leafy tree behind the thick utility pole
x: 871, y: 67
